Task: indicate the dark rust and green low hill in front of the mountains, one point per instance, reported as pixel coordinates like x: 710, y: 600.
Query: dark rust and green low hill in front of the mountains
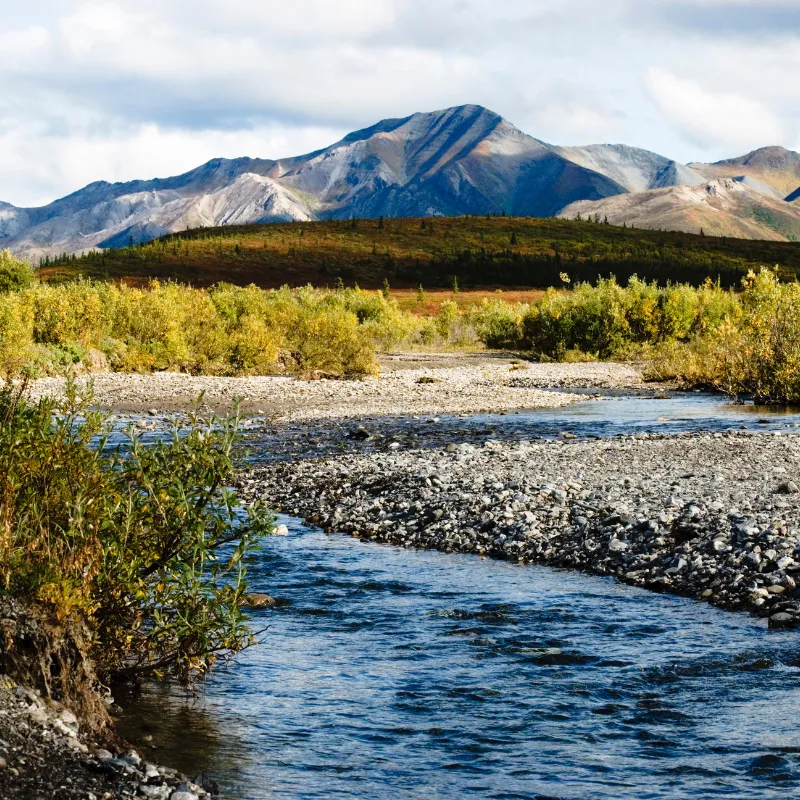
x: 478, y: 251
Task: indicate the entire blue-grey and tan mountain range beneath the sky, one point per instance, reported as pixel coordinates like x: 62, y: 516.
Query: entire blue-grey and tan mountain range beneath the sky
x: 462, y: 160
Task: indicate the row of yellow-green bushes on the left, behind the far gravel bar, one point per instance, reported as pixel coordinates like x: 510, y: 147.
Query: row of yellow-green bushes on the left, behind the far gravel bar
x: 228, y: 330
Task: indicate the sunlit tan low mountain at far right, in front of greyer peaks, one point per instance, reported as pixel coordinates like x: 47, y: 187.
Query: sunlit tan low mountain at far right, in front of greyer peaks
x: 741, y: 207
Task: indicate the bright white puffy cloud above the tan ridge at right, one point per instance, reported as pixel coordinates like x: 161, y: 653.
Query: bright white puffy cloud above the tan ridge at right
x: 711, y: 118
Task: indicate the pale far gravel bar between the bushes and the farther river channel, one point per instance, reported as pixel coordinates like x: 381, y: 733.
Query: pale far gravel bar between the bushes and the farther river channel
x: 409, y: 384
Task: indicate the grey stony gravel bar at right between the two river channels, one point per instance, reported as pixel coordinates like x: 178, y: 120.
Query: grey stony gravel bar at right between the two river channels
x: 713, y: 516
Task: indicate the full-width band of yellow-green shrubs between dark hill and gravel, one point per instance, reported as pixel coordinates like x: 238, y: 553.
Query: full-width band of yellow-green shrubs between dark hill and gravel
x: 743, y: 339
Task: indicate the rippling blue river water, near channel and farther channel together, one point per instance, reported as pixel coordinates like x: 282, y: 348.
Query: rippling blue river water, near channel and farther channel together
x: 390, y: 673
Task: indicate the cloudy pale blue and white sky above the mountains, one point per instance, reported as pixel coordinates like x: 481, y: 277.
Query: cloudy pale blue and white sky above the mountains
x: 103, y: 90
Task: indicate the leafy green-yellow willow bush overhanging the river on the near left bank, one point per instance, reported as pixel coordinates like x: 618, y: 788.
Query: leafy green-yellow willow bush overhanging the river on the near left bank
x: 144, y: 544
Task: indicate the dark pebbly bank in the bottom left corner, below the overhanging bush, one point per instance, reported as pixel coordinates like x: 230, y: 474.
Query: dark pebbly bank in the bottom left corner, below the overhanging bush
x: 45, y: 754
